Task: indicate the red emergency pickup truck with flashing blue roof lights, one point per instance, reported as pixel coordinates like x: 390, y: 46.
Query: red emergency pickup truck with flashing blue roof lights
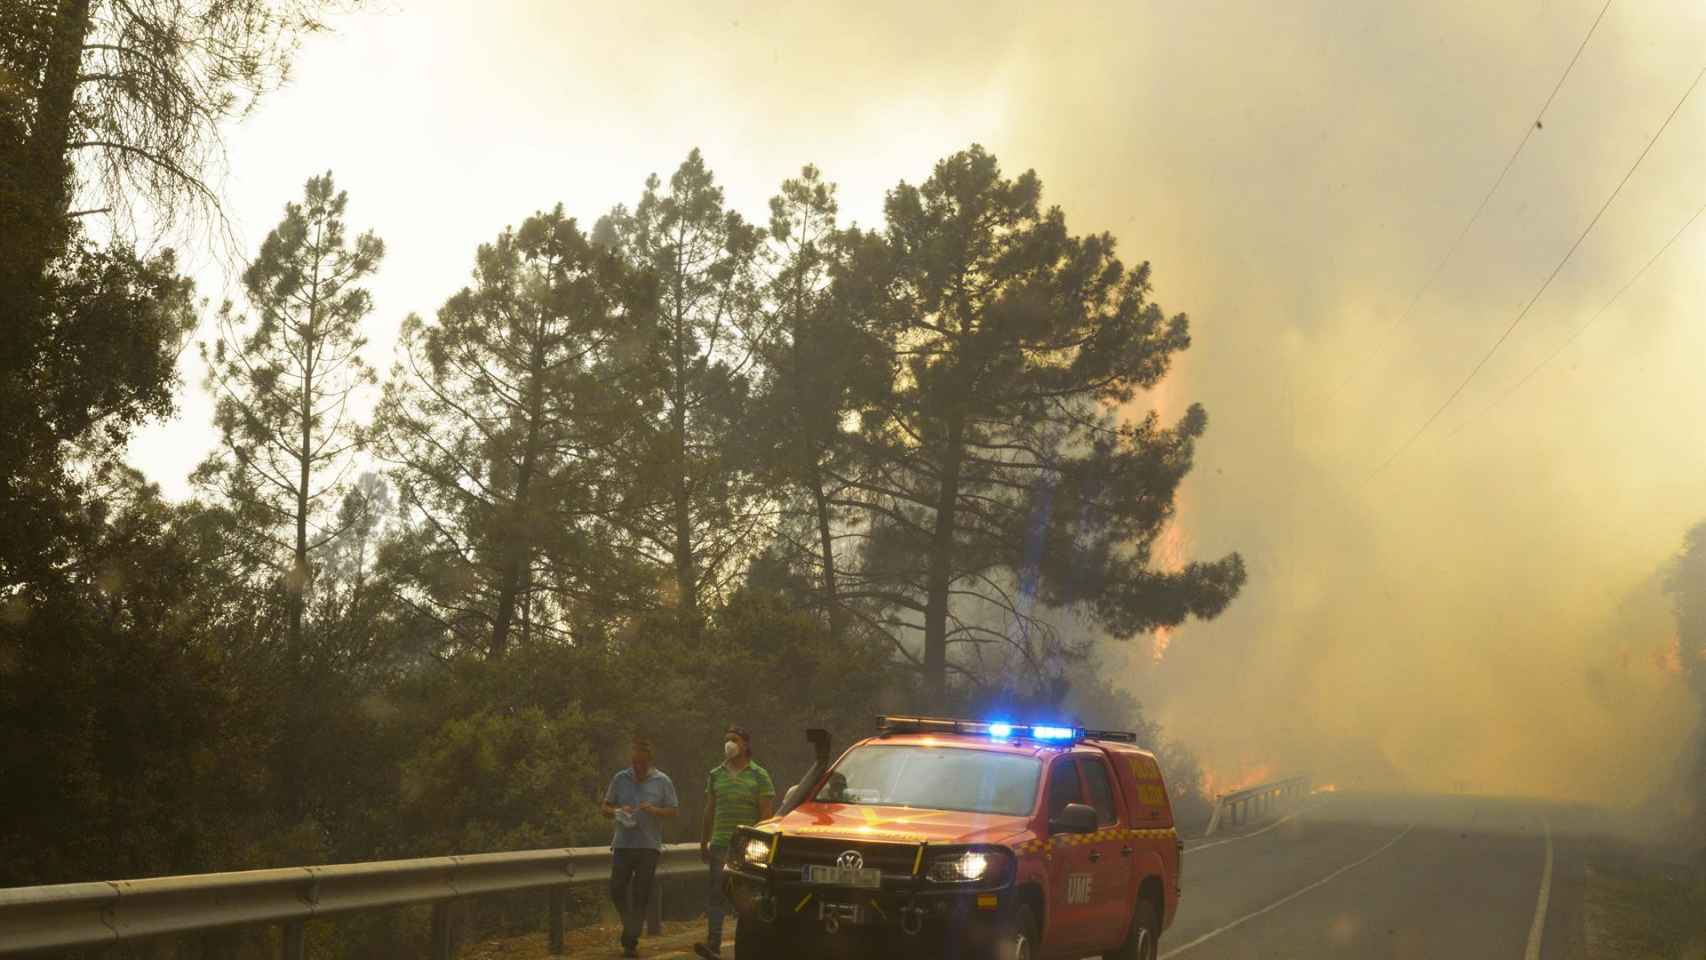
x: 955, y: 838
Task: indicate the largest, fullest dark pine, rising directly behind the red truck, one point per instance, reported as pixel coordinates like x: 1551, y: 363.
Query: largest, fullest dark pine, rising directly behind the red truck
x: 1006, y: 473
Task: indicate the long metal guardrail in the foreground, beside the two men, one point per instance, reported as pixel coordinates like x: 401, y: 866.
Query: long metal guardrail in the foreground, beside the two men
x: 120, y: 911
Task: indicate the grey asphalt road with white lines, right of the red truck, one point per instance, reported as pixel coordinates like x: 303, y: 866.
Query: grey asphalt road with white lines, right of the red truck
x: 1401, y: 877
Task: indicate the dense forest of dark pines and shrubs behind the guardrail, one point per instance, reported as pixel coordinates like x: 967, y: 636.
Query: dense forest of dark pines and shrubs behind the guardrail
x: 659, y: 471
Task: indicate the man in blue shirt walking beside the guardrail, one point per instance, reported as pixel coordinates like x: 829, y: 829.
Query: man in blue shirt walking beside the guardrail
x: 639, y: 799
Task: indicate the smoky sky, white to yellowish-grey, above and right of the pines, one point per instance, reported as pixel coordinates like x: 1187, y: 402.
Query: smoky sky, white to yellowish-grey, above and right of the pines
x: 1483, y: 611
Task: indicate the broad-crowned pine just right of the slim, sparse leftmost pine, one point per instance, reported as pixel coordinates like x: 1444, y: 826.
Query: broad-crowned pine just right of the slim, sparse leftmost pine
x: 506, y: 420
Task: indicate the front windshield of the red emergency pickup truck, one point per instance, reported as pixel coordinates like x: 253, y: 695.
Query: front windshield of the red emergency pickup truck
x: 937, y: 778
